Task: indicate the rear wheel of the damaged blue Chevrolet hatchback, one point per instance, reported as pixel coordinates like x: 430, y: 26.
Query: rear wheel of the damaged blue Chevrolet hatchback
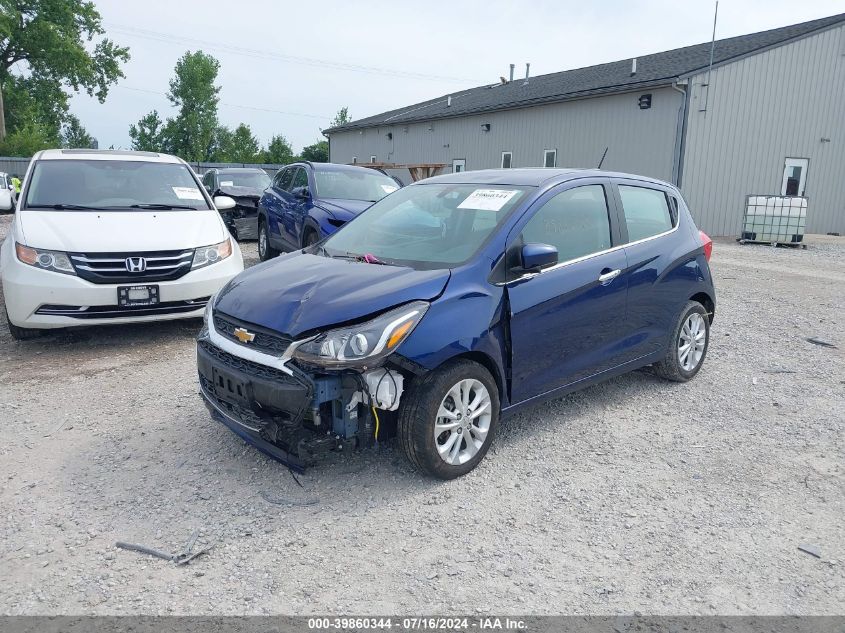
x: 688, y: 347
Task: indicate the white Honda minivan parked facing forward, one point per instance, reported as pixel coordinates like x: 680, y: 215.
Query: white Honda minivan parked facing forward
x: 112, y: 237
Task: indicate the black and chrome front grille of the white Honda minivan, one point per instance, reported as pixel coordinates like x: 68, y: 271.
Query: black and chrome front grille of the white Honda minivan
x: 110, y: 268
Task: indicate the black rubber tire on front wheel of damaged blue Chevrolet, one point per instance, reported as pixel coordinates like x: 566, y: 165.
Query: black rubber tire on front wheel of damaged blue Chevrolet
x: 418, y: 414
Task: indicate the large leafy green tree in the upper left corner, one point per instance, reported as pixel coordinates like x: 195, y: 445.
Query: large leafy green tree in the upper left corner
x: 50, y: 42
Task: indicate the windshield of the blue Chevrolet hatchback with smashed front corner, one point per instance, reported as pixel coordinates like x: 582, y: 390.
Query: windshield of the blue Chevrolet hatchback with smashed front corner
x: 427, y: 226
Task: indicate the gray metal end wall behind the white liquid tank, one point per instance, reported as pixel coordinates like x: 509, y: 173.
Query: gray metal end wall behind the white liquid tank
x: 763, y: 109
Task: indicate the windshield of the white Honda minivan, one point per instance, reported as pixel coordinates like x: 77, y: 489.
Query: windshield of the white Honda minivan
x: 97, y: 185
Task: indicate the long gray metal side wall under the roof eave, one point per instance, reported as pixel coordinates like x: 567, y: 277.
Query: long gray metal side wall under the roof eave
x: 639, y: 141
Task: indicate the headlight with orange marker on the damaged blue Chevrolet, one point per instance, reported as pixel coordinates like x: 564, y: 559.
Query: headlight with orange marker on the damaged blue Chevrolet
x: 364, y: 344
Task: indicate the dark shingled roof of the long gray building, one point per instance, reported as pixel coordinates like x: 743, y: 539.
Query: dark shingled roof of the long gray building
x: 652, y: 70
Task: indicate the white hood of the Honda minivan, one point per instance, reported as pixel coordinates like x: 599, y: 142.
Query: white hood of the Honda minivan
x: 120, y: 231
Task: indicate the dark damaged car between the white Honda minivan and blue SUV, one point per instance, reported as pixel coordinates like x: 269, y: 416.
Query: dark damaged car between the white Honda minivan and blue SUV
x: 244, y: 185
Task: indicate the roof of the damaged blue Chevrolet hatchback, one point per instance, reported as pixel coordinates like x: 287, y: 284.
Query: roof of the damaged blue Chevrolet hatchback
x: 531, y: 177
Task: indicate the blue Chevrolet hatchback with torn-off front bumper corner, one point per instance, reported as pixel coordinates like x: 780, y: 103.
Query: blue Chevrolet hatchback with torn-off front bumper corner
x: 453, y: 303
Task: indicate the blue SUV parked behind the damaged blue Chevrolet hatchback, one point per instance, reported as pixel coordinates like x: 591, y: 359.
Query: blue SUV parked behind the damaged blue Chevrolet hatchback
x: 308, y: 201
